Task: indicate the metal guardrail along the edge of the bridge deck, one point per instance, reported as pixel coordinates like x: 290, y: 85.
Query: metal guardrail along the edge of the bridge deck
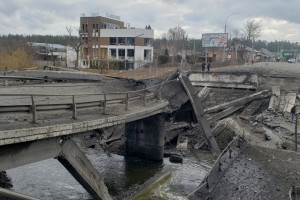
x: 102, y: 100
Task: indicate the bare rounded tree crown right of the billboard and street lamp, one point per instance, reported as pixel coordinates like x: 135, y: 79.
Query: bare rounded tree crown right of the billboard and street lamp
x: 252, y: 29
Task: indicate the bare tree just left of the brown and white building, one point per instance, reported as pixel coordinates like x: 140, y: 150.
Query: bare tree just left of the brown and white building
x: 75, y: 42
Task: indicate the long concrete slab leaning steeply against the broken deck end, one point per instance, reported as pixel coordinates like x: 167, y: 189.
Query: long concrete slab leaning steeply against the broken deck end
x: 199, y: 112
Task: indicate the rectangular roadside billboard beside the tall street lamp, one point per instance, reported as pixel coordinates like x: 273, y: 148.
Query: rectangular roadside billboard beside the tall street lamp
x: 214, y: 39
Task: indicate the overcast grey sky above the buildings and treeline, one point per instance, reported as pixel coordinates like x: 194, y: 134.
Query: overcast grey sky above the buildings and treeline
x: 280, y: 18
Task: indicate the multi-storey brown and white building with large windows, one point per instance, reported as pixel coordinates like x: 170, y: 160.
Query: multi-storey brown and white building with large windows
x: 107, y: 40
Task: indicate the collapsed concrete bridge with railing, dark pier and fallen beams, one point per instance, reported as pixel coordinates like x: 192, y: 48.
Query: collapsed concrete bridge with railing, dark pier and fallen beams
x: 43, y: 124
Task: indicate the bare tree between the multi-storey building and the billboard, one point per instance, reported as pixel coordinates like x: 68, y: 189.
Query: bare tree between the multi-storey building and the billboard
x: 176, y: 38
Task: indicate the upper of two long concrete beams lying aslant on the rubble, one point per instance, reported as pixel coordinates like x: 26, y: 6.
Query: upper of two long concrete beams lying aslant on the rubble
x: 238, y: 102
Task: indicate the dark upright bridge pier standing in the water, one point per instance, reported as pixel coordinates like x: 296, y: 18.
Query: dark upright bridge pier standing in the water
x: 145, y: 137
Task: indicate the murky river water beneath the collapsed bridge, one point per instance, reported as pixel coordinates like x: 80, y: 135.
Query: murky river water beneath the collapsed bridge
x: 48, y: 179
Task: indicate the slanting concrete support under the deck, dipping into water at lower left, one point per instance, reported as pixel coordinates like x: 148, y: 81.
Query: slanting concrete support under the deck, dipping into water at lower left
x: 75, y: 161
